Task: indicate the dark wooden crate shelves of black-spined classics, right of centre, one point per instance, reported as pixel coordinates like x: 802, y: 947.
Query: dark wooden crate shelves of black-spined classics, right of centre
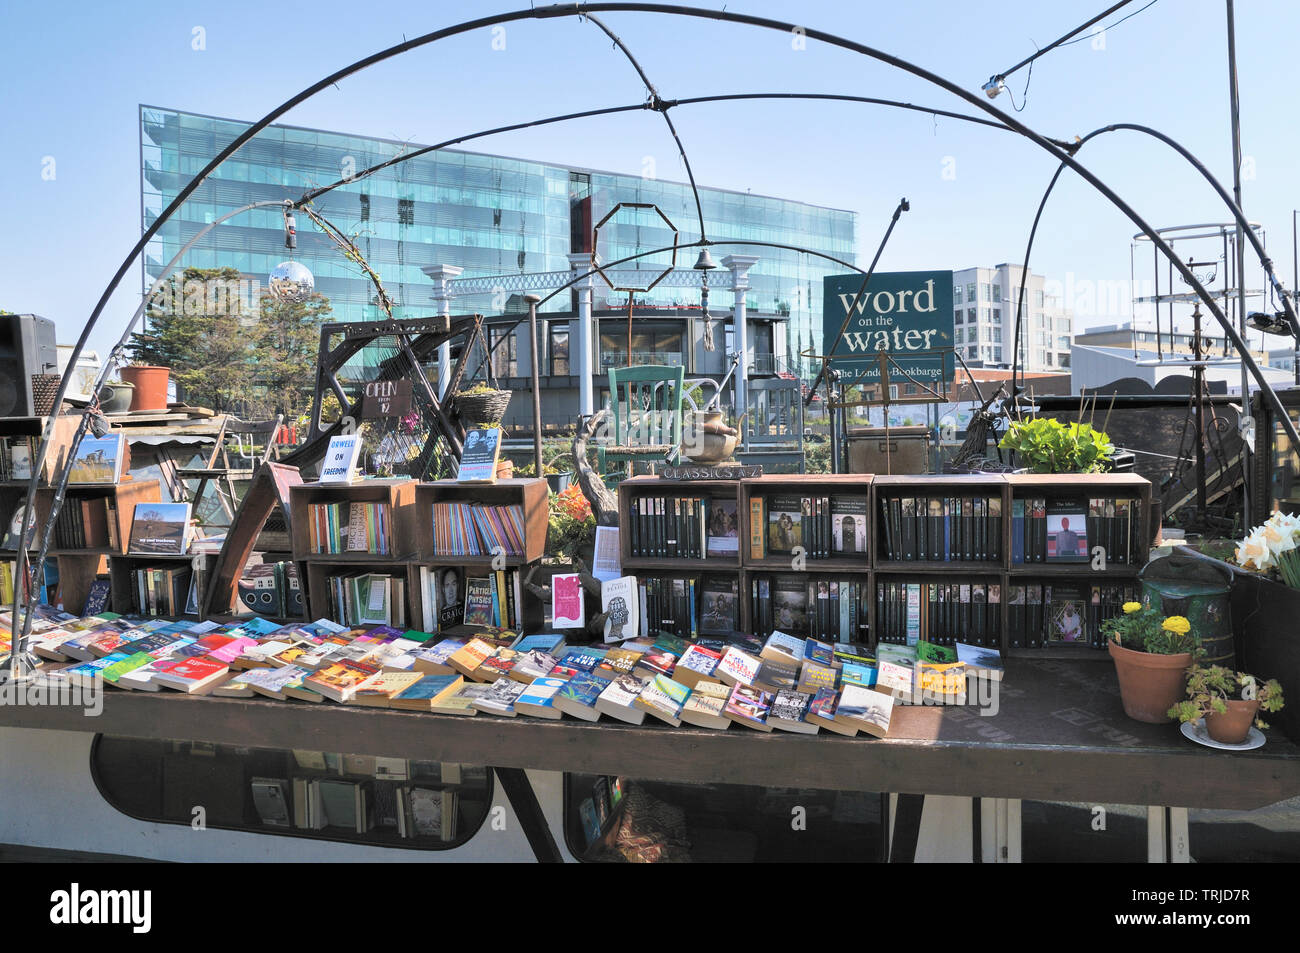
x: 1022, y: 564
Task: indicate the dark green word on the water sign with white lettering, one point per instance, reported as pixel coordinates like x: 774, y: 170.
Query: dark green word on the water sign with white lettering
x: 907, y: 314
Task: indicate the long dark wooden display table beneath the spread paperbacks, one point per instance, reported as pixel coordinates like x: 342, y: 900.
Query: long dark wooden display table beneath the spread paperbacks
x: 1059, y: 735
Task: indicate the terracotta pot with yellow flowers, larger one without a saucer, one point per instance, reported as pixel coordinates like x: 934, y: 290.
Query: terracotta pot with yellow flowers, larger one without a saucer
x: 1152, y: 653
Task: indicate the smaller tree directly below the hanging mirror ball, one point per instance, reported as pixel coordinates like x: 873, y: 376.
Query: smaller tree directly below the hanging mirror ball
x: 287, y: 341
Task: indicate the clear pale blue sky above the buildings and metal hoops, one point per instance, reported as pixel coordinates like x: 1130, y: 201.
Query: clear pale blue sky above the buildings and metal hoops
x: 76, y: 73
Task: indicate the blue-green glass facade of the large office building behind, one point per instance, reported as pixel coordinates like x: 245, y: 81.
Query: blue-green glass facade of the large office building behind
x: 488, y: 215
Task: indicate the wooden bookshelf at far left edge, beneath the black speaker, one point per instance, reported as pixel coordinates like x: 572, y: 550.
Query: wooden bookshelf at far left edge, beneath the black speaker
x: 93, y: 529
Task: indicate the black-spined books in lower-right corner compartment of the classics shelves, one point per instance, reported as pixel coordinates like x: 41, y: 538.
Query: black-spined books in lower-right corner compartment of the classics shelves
x: 1050, y: 614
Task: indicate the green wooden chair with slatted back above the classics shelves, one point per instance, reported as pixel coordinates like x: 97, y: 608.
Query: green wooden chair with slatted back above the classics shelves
x: 647, y: 410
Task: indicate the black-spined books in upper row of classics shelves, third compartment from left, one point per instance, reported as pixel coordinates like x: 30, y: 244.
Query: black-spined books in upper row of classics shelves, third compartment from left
x: 942, y: 529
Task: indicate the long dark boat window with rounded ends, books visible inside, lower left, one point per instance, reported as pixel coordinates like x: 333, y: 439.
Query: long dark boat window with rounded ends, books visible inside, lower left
x: 415, y: 805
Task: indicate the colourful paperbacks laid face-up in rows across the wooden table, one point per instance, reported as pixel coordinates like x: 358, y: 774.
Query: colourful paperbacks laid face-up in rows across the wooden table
x: 785, y: 682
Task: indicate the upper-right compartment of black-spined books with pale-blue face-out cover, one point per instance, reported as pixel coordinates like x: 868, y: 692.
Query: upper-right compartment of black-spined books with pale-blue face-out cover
x: 1055, y: 531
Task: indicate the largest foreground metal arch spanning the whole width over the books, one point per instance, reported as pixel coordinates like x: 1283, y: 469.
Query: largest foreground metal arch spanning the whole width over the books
x: 580, y: 11
